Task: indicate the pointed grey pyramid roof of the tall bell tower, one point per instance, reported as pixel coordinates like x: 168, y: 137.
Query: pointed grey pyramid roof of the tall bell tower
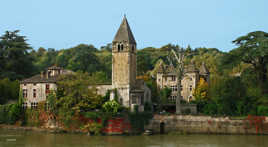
x: 124, y: 33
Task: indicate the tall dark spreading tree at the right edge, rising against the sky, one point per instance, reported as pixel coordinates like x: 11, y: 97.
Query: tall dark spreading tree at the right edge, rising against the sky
x: 253, y: 50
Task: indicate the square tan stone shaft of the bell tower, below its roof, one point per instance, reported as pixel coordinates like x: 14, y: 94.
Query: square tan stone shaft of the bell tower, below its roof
x: 124, y: 71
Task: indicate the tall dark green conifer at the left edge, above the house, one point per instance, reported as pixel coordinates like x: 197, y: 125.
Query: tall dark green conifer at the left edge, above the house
x: 15, y: 60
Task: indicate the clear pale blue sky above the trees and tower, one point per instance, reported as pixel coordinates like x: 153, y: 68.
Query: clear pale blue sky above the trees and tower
x: 63, y: 24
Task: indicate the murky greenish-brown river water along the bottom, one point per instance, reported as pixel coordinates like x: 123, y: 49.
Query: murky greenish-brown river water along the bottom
x: 37, y: 139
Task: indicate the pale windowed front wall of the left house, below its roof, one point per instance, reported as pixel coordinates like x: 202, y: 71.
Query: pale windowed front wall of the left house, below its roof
x: 40, y: 92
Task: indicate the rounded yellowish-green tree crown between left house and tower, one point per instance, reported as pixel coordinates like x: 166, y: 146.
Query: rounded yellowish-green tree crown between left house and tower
x: 75, y: 94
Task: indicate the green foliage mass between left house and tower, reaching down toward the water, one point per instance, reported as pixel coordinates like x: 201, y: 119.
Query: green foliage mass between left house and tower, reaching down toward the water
x: 73, y: 96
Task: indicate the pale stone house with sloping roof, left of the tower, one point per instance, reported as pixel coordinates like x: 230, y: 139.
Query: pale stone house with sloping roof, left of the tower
x: 36, y: 89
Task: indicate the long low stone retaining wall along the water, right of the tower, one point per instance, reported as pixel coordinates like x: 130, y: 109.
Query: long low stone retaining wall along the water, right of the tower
x: 206, y: 124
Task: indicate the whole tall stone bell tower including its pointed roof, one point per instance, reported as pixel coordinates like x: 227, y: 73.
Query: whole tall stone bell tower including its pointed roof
x: 124, y: 62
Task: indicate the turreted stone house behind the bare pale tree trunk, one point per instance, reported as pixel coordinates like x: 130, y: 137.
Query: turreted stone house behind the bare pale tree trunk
x: 167, y: 77
